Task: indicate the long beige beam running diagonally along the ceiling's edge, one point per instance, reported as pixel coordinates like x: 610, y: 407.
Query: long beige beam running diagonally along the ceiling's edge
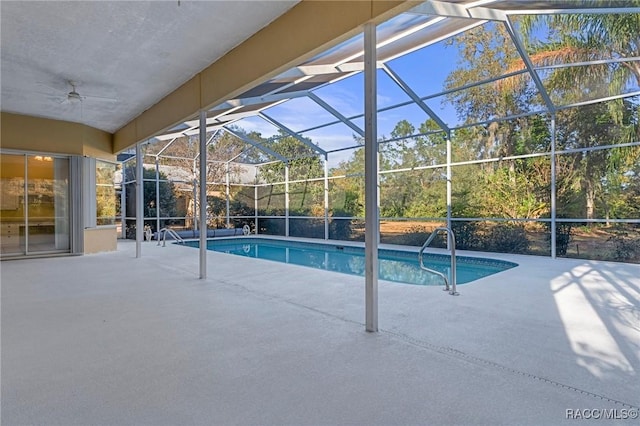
x: 306, y: 30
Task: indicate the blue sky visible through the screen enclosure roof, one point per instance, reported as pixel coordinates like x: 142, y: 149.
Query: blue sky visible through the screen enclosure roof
x: 424, y: 70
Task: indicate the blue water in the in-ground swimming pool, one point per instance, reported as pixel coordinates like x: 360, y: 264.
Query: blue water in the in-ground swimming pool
x: 395, y: 265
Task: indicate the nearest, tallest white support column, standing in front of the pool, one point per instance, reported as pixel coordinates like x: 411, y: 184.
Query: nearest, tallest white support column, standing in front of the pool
x: 371, y: 216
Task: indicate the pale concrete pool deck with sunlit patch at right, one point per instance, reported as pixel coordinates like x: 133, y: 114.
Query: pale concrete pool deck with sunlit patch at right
x: 108, y: 339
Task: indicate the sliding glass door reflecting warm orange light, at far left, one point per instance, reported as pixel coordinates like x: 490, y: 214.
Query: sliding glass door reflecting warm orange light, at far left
x: 35, y: 210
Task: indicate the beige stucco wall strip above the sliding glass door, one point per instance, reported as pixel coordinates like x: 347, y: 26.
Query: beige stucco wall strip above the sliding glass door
x: 27, y: 133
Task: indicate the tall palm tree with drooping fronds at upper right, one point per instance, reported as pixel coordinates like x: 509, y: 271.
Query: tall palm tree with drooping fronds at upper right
x: 575, y: 38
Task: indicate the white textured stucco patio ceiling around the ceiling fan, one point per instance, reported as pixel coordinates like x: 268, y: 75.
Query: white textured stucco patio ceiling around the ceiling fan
x: 123, y: 56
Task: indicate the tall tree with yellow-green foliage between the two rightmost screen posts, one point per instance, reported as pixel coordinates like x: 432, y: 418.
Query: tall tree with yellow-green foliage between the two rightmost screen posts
x: 506, y: 188
